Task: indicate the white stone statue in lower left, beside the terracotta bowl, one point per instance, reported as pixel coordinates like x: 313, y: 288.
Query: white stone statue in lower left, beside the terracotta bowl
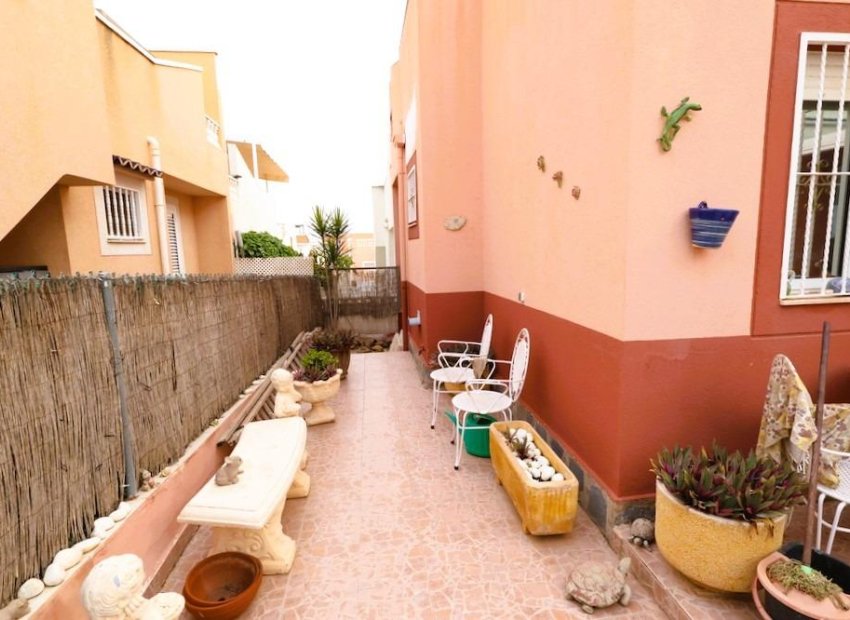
x: 113, y: 590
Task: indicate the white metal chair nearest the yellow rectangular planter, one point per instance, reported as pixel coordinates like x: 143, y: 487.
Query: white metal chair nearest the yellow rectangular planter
x: 498, y: 400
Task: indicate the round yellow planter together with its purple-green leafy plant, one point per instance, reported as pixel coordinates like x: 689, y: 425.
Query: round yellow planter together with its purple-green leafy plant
x: 718, y: 514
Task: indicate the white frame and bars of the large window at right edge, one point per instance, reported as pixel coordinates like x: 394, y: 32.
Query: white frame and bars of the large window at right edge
x: 799, y: 291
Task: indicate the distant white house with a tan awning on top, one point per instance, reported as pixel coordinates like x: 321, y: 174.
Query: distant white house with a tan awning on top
x: 257, y: 189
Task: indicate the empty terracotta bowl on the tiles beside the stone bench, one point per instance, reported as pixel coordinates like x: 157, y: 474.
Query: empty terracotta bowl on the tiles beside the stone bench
x: 223, y: 585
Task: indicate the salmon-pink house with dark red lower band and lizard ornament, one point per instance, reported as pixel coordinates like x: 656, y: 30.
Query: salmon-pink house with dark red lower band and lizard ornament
x: 638, y: 339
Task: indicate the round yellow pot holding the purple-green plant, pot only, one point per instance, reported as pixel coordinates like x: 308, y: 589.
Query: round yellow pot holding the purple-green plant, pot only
x: 721, y: 554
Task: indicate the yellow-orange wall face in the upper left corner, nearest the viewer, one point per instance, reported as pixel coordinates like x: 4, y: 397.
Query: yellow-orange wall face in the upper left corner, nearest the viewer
x: 52, y: 103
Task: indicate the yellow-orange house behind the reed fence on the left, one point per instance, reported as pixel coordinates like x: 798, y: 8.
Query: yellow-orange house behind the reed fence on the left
x: 112, y: 156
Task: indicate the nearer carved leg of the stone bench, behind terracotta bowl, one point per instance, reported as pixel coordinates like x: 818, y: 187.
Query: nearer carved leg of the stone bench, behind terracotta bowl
x: 274, y: 548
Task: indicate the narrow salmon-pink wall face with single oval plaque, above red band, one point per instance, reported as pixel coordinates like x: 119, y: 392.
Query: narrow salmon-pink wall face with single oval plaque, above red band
x: 449, y: 147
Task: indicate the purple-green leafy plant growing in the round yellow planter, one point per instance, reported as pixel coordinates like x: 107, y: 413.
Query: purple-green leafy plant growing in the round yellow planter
x: 730, y: 485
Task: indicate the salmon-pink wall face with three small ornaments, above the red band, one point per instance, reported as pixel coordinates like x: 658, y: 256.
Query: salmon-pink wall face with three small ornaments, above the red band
x: 553, y: 86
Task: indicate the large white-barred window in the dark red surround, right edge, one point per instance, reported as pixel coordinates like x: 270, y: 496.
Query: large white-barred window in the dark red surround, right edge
x: 816, y: 257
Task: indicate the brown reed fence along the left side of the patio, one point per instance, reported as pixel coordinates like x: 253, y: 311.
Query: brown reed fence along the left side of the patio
x: 189, y: 346
